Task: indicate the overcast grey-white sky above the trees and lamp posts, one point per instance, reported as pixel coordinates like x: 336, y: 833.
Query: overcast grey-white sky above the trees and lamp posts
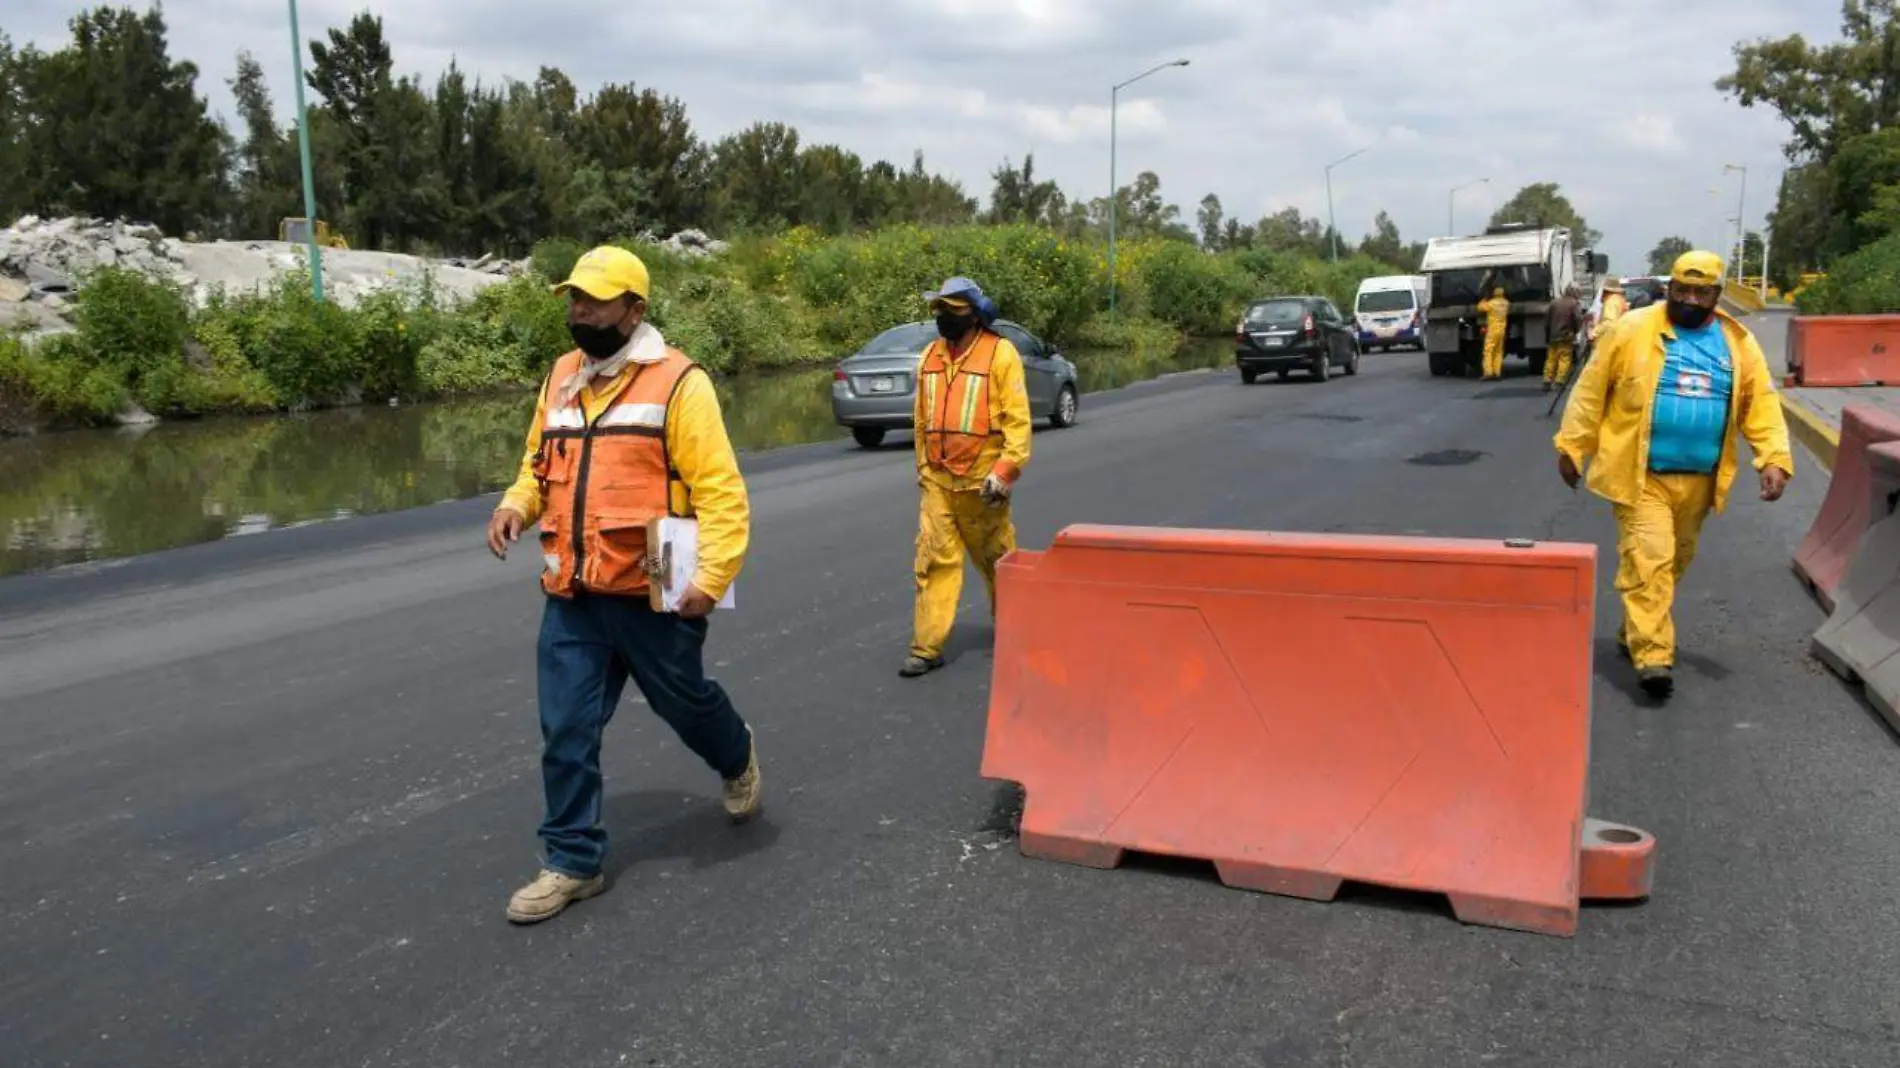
x: 1610, y: 98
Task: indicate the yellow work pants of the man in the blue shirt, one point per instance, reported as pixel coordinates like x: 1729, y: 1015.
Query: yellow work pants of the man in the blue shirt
x: 1656, y: 543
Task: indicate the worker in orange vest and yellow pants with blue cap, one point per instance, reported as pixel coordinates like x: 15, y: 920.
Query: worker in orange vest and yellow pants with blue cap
x: 974, y: 442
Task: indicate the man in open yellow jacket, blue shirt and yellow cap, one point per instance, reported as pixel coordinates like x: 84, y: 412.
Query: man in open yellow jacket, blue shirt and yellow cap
x: 1654, y: 421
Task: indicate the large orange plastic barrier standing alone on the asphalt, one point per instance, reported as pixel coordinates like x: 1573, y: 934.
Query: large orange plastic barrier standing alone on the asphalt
x: 1310, y: 710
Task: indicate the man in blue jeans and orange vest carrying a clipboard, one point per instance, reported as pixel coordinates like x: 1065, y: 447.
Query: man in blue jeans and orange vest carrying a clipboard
x: 626, y: 430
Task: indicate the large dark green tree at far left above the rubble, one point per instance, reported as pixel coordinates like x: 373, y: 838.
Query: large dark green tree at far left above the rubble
x: 111, y: 126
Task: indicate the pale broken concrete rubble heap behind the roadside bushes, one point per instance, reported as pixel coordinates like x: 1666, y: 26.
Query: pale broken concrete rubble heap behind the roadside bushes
x: 45, y: 259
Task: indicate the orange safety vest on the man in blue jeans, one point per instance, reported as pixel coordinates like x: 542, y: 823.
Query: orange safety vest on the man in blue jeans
x: 605, y: 480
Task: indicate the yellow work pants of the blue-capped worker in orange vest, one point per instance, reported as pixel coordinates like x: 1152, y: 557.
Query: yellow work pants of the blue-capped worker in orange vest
x: 953, y: 525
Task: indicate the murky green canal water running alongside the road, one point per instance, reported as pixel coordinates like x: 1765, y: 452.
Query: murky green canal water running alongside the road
x: 119, y: 493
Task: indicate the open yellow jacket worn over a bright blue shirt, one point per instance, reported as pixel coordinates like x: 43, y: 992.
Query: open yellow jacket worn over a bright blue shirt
x: 1606, y: 423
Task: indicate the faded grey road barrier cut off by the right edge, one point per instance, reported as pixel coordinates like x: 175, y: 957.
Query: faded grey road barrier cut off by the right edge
x: 1861, y: 639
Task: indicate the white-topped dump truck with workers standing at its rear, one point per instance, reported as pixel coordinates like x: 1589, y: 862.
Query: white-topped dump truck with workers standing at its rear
x: 1534, y: 265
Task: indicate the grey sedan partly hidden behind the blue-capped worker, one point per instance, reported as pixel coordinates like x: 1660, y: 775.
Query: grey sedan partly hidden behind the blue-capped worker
x: 877, y: 391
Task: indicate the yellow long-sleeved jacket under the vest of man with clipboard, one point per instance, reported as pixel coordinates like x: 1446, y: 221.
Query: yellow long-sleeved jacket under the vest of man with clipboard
x: 700, y: 451
